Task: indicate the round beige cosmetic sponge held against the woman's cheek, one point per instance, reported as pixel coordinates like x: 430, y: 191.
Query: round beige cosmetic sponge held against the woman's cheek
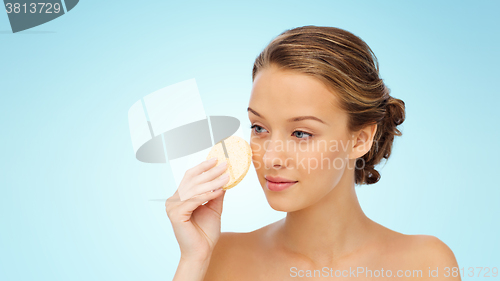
x: 240, y: 158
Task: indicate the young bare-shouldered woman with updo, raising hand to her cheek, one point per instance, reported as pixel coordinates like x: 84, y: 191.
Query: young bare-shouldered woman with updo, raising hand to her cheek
x: 321, y: 118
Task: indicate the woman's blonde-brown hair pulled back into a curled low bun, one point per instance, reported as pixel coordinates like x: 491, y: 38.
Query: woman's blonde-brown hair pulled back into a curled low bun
x: 348, y: 66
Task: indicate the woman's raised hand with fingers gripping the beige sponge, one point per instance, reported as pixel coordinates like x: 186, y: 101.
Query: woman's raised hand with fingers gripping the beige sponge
x: 197, y: 226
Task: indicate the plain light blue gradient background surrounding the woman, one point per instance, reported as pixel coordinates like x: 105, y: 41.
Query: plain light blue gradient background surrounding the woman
x: 76, y: 205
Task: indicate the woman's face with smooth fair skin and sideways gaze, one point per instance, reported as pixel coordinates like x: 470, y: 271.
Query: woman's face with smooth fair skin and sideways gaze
x: 313, y: 153
